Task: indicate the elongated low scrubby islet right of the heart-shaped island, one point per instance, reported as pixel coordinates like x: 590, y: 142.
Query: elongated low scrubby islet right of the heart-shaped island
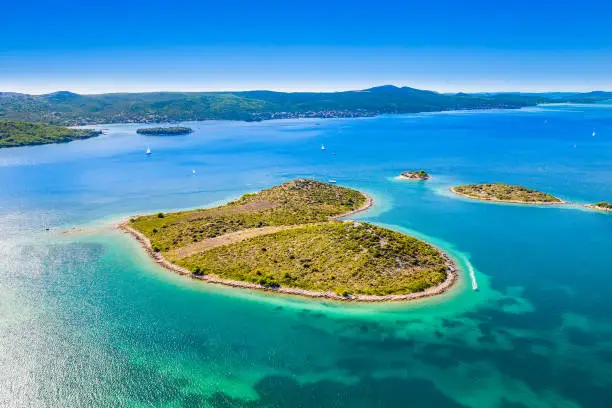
x: 505, y: 193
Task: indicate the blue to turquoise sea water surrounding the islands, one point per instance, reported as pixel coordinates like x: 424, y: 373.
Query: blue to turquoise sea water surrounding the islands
x: 87, y: 320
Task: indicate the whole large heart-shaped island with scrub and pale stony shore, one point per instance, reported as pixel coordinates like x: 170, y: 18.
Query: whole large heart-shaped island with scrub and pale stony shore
x: 290, y: 239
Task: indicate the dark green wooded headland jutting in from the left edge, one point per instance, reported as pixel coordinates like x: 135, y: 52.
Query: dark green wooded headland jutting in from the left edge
x: 14, y: 134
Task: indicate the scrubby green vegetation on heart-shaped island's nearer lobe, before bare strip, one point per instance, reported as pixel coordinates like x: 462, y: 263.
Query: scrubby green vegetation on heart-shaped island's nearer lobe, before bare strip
x: 341, y: 257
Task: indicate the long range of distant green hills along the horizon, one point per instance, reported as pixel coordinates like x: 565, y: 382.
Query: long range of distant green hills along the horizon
x: 67, y: 108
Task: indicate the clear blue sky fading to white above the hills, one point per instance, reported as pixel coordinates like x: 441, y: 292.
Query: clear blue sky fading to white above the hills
x: 123, y: 46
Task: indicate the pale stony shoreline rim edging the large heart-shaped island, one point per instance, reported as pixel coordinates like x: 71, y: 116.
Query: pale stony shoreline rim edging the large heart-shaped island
x: 451, y: 276
